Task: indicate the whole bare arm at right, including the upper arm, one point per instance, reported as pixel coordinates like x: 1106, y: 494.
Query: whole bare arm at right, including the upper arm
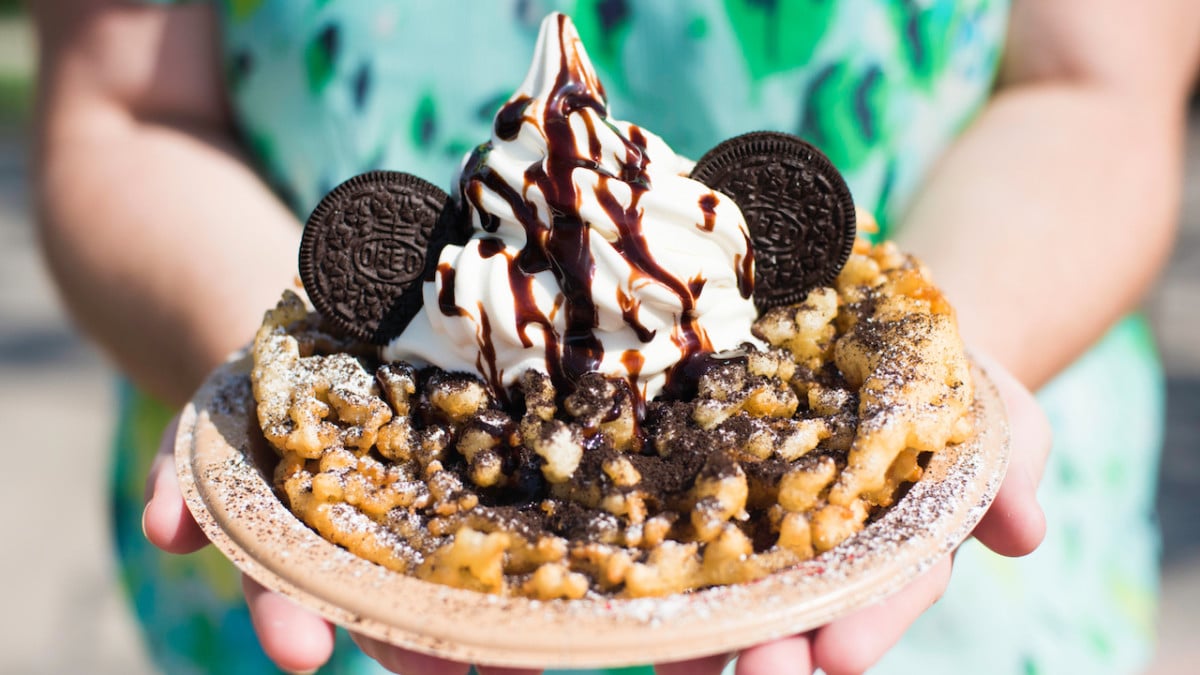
x: 1052, y: 216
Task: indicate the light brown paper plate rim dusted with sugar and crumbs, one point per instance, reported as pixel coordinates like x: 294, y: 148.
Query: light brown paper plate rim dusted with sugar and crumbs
x: 225, y: 468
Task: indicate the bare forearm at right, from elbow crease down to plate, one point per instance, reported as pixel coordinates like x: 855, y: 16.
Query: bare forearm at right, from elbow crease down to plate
x: 1049, y: 219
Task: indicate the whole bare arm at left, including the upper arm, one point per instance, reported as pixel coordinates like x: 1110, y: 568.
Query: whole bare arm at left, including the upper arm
x: 164, y: 243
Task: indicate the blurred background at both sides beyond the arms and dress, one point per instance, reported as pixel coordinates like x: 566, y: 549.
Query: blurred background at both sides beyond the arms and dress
x: 65, y: 613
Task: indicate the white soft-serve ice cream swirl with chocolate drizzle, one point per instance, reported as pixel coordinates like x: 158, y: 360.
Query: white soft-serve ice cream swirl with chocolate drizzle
x: 592, y: 250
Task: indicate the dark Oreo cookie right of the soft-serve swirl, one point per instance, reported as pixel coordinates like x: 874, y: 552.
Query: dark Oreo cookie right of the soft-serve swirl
x: 797, y: 207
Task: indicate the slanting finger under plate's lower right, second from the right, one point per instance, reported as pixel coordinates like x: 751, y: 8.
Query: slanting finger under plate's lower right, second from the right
x: 856, y: 643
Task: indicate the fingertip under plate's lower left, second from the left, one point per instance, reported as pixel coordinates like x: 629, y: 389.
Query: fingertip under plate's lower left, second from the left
x: 292, y: 637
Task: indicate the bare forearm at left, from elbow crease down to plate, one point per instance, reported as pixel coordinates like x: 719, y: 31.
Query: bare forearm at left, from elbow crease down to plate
x: 165, y: 246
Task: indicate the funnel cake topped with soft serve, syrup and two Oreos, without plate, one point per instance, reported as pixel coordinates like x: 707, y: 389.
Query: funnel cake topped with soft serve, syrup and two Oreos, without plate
x: 598, y: 369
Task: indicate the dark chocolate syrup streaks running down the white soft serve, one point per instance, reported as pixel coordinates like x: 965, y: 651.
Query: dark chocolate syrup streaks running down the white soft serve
x: 563, y: 246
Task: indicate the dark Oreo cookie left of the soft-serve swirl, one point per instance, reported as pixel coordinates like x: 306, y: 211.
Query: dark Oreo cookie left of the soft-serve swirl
x: 368, y: 248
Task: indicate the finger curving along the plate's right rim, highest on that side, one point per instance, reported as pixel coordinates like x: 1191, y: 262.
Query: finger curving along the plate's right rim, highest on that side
x: 1015, y: 524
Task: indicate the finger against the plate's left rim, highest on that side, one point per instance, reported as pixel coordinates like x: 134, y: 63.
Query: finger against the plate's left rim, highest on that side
x: 166, y: 521
